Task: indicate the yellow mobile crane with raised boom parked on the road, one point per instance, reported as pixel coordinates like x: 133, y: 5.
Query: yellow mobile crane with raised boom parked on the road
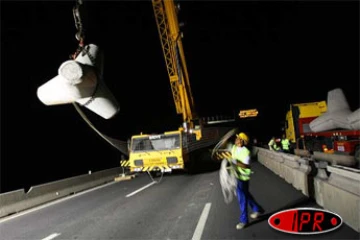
x: 167, y: 151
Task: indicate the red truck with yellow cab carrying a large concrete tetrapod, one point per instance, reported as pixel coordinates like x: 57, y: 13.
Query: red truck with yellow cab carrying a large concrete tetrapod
x: 320, y: 127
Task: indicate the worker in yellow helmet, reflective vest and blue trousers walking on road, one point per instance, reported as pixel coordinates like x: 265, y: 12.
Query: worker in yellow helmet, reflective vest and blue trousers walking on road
x: 241, y: 160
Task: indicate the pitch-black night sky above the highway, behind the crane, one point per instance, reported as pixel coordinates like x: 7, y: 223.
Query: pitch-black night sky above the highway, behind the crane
x: 240, y: 55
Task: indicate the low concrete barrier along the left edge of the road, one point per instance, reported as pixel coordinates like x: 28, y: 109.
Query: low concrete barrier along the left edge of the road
x: 16, y: 201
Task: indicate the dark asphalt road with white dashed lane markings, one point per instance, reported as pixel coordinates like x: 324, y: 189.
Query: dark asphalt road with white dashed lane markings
x: 179, y: 206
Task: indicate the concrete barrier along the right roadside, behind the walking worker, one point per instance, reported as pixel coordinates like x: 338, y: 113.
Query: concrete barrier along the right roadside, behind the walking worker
x: 335, y: 188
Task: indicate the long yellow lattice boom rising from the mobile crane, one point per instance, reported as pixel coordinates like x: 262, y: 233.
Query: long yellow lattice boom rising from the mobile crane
x: 168, y: 27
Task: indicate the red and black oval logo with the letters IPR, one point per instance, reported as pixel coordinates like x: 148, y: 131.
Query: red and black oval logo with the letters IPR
x: 305, y: 221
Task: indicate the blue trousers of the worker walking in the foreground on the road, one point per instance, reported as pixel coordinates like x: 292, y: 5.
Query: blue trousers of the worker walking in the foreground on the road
x: 244, y: 198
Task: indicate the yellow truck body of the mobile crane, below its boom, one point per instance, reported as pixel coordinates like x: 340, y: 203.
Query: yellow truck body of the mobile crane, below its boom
x: 171, y: 150
